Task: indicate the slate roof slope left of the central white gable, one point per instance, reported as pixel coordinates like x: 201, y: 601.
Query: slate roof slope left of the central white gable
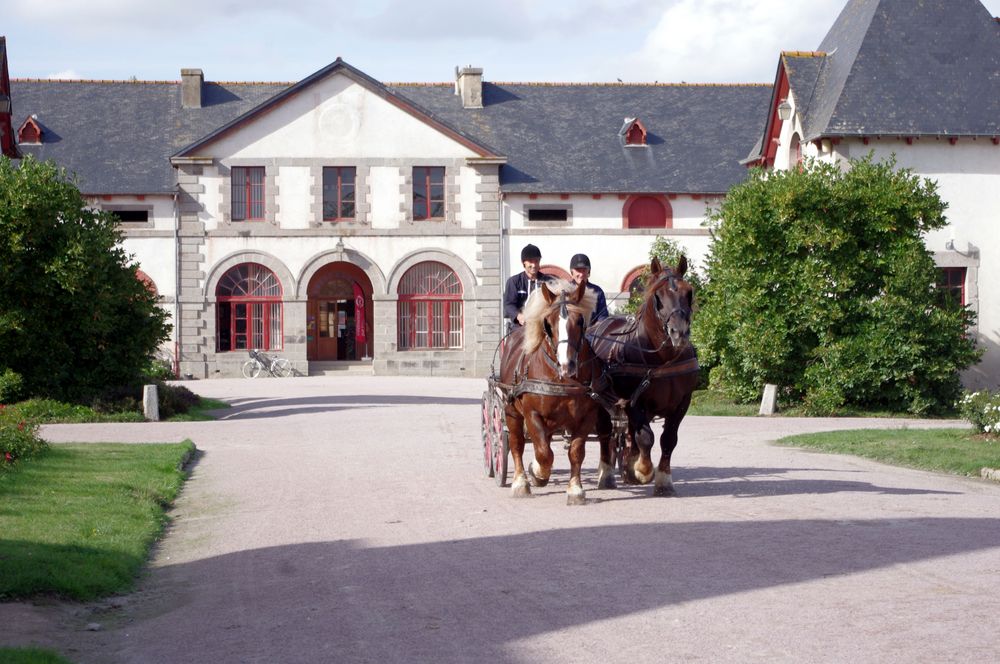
x: 117, y: 136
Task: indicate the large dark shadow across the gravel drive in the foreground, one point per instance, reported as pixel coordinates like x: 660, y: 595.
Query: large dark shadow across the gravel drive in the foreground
x: 474, y: 599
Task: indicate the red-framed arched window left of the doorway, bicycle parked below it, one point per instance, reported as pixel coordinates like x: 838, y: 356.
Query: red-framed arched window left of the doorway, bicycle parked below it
x: 249, y: 309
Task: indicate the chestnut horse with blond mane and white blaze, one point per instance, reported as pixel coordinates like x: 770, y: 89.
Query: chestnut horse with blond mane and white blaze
x: 548, y: 368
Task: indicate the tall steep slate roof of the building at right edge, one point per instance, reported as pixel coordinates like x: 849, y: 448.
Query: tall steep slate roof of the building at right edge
x: 899, y: 67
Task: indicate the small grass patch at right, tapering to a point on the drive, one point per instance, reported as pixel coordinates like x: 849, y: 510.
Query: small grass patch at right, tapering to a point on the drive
x: 958, y: 451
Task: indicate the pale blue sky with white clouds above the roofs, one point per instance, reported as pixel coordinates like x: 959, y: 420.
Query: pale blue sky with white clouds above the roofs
x: 394, y: 41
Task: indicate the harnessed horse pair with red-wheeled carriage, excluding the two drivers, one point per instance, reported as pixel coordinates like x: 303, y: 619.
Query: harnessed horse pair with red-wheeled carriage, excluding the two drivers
x: 560, y: 375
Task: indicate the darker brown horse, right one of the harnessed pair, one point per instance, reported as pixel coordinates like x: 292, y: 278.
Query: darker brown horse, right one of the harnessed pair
x: 653, y: 366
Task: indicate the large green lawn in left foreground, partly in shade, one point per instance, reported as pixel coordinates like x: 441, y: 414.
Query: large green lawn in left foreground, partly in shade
x: 78, y: 521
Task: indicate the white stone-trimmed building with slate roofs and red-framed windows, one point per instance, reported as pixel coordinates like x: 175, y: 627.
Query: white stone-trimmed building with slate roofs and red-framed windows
x: 342, y: 220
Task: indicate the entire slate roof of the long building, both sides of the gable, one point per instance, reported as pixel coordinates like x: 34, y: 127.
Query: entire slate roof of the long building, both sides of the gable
x: 118, y: 136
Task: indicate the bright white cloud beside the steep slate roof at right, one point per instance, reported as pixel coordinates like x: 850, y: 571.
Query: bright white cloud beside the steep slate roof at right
x: 711, y: 41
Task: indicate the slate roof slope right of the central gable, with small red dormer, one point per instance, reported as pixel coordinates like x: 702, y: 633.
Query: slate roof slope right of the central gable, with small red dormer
x: 565, y: 138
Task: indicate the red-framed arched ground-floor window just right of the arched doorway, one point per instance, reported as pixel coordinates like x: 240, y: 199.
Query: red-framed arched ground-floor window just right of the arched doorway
x: 430, y: 307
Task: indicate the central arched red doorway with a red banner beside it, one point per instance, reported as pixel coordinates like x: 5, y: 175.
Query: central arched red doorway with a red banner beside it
x: 339, y: 314
